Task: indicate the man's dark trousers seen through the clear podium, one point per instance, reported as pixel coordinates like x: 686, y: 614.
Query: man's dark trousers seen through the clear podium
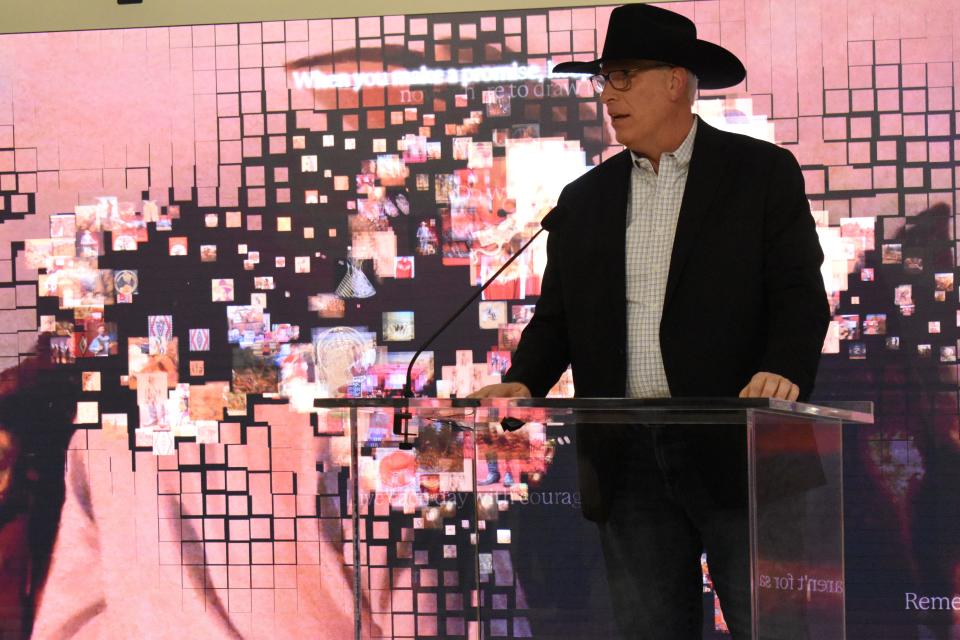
x: 662, y: 517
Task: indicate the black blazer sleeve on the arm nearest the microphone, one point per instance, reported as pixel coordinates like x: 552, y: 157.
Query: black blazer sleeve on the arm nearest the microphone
x: 543, y: 352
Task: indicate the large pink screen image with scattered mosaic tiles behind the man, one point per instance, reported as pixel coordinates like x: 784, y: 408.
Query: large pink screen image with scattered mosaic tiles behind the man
x: 217, y: 225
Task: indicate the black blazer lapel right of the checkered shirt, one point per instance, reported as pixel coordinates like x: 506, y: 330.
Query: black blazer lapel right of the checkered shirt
x: 707, y: 165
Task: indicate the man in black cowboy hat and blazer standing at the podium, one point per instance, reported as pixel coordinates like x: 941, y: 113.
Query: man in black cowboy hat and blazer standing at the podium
x: 686, y: 265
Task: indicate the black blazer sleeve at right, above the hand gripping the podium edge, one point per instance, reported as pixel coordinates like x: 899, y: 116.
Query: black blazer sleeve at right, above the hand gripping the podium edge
x: 797, y: 310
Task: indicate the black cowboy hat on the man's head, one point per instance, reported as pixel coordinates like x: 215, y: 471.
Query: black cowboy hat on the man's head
x: 645, y: 32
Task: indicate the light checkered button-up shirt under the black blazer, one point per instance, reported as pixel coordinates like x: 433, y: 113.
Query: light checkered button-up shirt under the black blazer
x: 652, y: 214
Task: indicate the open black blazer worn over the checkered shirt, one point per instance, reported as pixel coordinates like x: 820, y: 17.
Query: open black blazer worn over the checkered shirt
x: 744, y: 291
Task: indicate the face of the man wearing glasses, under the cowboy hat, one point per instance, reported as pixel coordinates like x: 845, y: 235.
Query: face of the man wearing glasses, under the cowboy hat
x: 637, y: 113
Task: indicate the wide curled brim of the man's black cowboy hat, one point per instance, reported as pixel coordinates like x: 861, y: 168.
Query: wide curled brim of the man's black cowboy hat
x: 714, y: 66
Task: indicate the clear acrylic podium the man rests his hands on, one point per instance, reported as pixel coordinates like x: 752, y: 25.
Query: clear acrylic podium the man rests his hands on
x: 463, y: 529
